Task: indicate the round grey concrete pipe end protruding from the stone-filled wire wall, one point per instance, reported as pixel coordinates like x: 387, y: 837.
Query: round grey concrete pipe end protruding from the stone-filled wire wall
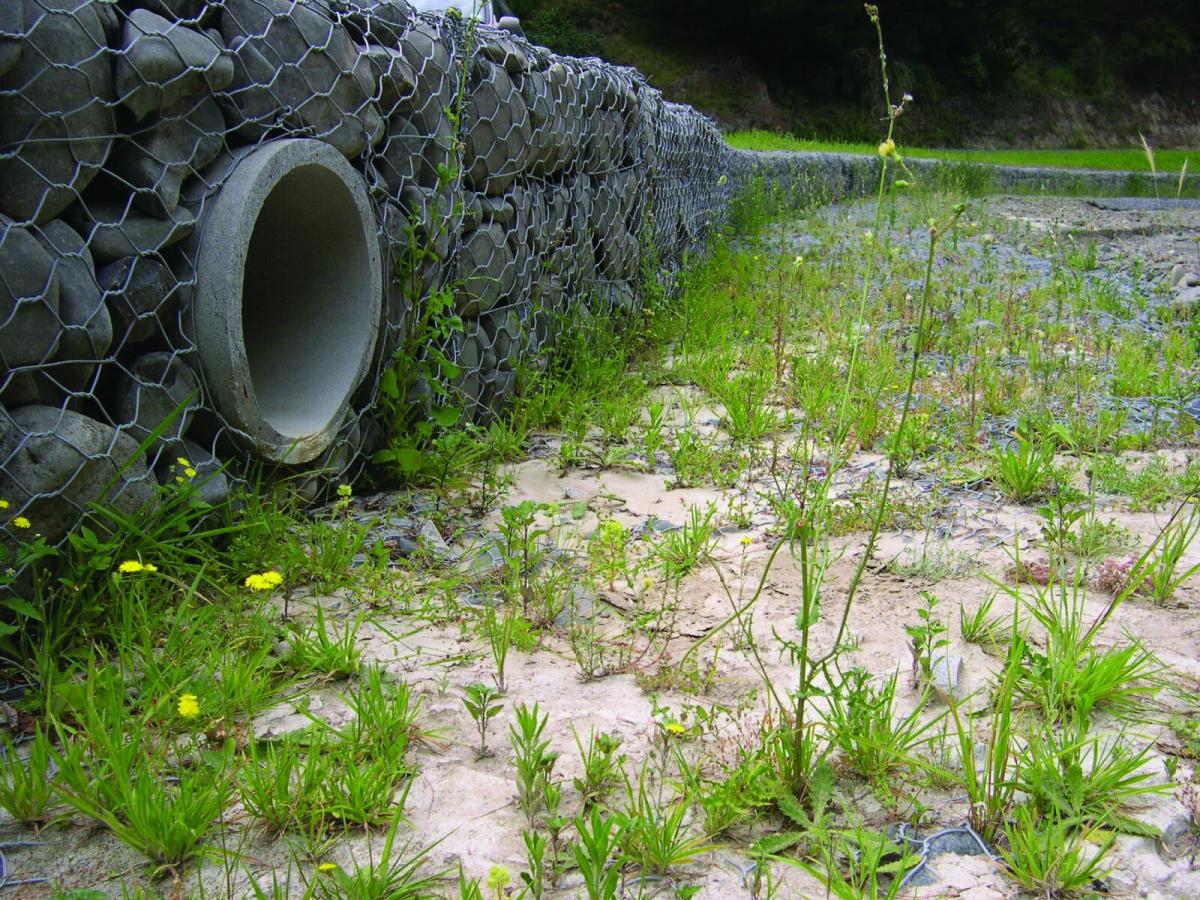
x: 289, y: 297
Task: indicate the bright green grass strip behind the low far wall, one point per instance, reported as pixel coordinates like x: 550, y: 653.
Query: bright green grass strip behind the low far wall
x: 1132, y: 160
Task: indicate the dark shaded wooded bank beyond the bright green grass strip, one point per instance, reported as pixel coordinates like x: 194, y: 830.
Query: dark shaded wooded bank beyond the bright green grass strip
x: 1028, y: 73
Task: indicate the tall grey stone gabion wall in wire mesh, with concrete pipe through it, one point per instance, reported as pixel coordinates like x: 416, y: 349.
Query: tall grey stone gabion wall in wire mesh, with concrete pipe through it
x: 131, y: 285
